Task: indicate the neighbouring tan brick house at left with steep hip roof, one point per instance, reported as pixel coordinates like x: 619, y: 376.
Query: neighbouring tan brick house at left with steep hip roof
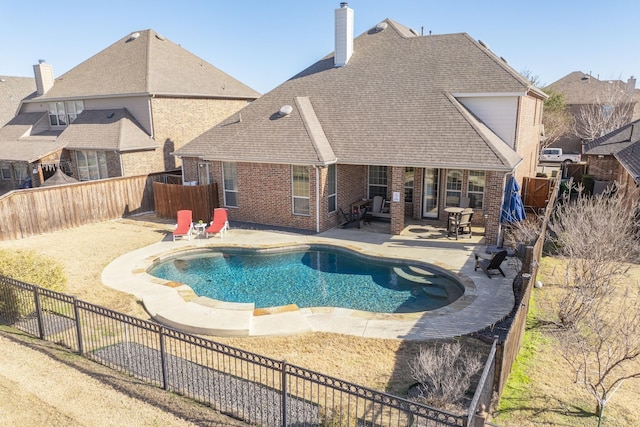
x: 121, y: 112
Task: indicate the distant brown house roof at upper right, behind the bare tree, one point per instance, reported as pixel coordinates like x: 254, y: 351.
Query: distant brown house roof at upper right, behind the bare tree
x: 579, y: 88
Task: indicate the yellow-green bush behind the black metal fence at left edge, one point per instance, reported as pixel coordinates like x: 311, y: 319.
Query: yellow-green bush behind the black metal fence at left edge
x: 30, y: 267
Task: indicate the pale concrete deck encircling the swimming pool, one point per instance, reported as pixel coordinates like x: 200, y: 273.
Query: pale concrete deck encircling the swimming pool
x: 485, y: 302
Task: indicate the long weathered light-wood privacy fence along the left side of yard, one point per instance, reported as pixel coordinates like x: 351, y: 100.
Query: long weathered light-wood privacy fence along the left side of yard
x: 40, y: 210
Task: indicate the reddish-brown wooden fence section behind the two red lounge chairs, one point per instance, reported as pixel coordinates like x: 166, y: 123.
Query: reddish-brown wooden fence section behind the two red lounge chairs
x: 200, y: 199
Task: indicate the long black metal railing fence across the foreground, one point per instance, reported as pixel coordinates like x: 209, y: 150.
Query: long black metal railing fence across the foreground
x: 247, y: 386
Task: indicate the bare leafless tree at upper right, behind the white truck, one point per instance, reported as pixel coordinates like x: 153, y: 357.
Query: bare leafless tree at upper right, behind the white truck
x: 610, y: 110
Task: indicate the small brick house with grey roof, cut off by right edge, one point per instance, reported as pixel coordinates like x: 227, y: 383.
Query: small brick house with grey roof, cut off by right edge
x: 615, y: 157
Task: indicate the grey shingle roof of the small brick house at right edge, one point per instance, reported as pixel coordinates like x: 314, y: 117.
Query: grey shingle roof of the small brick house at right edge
x: 623, y: 144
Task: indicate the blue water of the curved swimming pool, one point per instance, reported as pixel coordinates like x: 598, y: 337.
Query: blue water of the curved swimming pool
x: 310, y: 278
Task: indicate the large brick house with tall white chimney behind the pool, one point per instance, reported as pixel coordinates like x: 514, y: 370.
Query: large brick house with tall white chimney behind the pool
x: 424, y: 121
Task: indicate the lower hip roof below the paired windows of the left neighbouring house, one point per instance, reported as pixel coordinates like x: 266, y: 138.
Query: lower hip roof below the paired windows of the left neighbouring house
x: 113, y: 129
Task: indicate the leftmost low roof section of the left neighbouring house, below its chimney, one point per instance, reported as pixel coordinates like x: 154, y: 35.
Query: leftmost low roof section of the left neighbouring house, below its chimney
x: 17, y: 143
